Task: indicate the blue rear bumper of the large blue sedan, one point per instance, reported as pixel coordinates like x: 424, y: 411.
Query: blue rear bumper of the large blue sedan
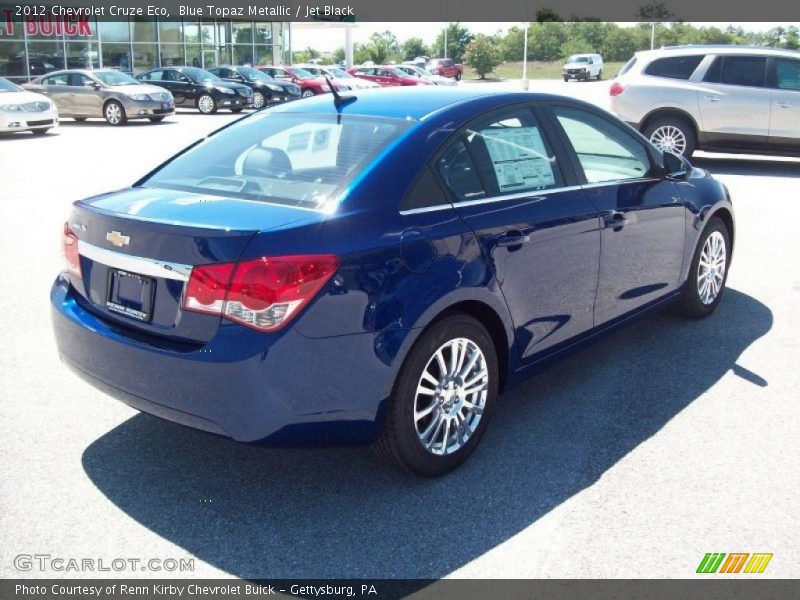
x: 279, y: 388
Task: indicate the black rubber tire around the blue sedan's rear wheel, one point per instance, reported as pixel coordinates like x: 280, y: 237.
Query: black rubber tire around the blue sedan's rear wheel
x: 399, y: 443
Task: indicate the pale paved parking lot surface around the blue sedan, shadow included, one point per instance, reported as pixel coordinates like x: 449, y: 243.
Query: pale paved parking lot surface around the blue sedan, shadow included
x: 633, y: 458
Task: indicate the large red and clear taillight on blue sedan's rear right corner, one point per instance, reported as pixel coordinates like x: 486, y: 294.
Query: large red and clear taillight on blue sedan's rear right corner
x: 264, y: 293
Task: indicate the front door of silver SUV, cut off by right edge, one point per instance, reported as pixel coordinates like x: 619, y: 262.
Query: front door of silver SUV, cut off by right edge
x: 784, y: 123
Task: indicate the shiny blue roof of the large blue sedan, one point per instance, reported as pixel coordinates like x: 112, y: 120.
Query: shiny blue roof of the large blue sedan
x: 409, y: 103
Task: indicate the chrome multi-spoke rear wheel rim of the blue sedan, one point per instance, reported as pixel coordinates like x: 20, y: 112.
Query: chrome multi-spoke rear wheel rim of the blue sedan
x: 451, y: 396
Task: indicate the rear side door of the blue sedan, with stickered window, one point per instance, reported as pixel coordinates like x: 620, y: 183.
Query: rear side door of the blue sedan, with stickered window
x: 535, y: 226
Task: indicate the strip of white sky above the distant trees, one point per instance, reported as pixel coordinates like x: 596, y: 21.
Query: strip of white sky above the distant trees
x: 328, y: 40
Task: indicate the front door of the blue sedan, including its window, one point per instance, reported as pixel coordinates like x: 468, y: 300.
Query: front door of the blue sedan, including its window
x: 642, y: 214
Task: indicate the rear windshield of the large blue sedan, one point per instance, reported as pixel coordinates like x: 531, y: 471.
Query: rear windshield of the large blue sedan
x: 293, y: 159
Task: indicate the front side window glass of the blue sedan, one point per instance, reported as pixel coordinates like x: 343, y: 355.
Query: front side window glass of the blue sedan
x: 606, y: 152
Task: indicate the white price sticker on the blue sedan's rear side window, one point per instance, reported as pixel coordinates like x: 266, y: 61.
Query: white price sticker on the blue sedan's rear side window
x: 519, y: 158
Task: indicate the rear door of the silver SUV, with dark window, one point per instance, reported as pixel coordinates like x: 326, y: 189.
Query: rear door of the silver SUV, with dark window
x: 734, y: 102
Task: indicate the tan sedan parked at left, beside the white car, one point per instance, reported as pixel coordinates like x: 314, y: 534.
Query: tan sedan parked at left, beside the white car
x: 103, y: 94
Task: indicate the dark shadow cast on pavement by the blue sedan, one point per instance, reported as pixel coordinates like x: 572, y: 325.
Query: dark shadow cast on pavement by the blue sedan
x: 260, y: 512
